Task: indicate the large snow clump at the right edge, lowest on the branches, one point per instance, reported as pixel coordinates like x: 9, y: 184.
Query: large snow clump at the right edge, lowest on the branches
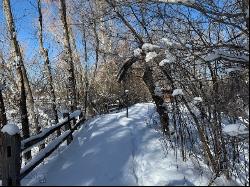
x: 235, y: 129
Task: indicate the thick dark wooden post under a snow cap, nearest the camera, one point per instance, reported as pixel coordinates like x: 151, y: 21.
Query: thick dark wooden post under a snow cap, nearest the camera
x: 11, y: 160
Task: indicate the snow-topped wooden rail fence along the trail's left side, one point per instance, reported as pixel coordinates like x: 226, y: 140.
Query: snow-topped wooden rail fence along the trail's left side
x: 12, y: 147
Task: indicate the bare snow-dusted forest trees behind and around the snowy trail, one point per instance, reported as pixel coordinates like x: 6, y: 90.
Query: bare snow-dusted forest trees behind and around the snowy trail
x: 87, y: 53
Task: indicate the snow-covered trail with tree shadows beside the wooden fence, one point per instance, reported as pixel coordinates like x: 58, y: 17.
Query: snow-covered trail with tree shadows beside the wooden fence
x: 114, y: 150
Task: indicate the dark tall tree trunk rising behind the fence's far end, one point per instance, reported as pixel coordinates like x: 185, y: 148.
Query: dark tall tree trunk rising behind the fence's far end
x: 68, y: 57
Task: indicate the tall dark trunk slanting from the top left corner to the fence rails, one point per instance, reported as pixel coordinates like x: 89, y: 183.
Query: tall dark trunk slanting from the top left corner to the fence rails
x: 19, y: 66
